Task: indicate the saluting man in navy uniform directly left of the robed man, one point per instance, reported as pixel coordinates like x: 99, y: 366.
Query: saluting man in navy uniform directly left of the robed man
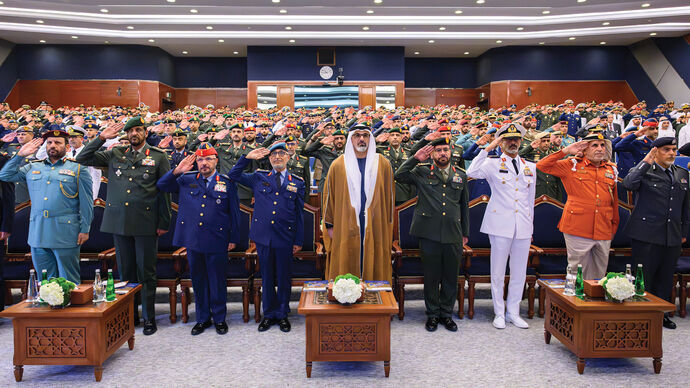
x: 277, y: 227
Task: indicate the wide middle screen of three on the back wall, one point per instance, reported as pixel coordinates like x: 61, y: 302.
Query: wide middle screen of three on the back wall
x: 311, y: 97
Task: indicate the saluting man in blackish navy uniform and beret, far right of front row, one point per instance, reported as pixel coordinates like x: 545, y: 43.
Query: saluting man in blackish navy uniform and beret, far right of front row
x: 661, y: 217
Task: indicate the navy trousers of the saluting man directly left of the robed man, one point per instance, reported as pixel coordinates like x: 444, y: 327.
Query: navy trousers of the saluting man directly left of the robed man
x: 276, y: 270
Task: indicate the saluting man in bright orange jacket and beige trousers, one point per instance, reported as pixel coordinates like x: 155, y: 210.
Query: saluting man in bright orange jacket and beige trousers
x: 590, y: 215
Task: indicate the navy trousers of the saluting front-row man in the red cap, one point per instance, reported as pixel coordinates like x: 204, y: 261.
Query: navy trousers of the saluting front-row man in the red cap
x: 209, y: 274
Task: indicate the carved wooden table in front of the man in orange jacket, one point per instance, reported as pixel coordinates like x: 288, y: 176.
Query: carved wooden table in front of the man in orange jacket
x: 595, y: 328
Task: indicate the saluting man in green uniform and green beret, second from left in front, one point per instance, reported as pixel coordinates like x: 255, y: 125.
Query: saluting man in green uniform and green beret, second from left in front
x: 136, y: 213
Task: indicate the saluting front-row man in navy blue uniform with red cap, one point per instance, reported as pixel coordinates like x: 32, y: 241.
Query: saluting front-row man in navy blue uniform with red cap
x: 207, y: 225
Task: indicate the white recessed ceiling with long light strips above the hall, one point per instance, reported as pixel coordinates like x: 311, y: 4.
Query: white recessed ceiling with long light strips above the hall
x: 455, y: 27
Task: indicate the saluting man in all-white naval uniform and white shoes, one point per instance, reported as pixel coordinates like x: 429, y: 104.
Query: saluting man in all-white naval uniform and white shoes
x: 508, y: 219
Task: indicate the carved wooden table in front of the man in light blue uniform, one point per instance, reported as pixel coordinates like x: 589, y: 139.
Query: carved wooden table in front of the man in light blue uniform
x: 77, y: 335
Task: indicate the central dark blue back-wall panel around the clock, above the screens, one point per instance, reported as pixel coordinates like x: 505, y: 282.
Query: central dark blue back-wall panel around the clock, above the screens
x: 277, y: 63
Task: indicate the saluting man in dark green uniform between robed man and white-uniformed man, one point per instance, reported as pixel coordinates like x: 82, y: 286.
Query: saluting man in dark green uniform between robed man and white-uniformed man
x: 441, y: 221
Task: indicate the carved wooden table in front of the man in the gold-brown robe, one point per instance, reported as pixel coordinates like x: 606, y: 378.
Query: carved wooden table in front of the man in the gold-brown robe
x: 359, y: 332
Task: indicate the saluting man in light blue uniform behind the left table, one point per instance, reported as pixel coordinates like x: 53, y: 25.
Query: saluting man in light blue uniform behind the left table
x: 61, y: 204
